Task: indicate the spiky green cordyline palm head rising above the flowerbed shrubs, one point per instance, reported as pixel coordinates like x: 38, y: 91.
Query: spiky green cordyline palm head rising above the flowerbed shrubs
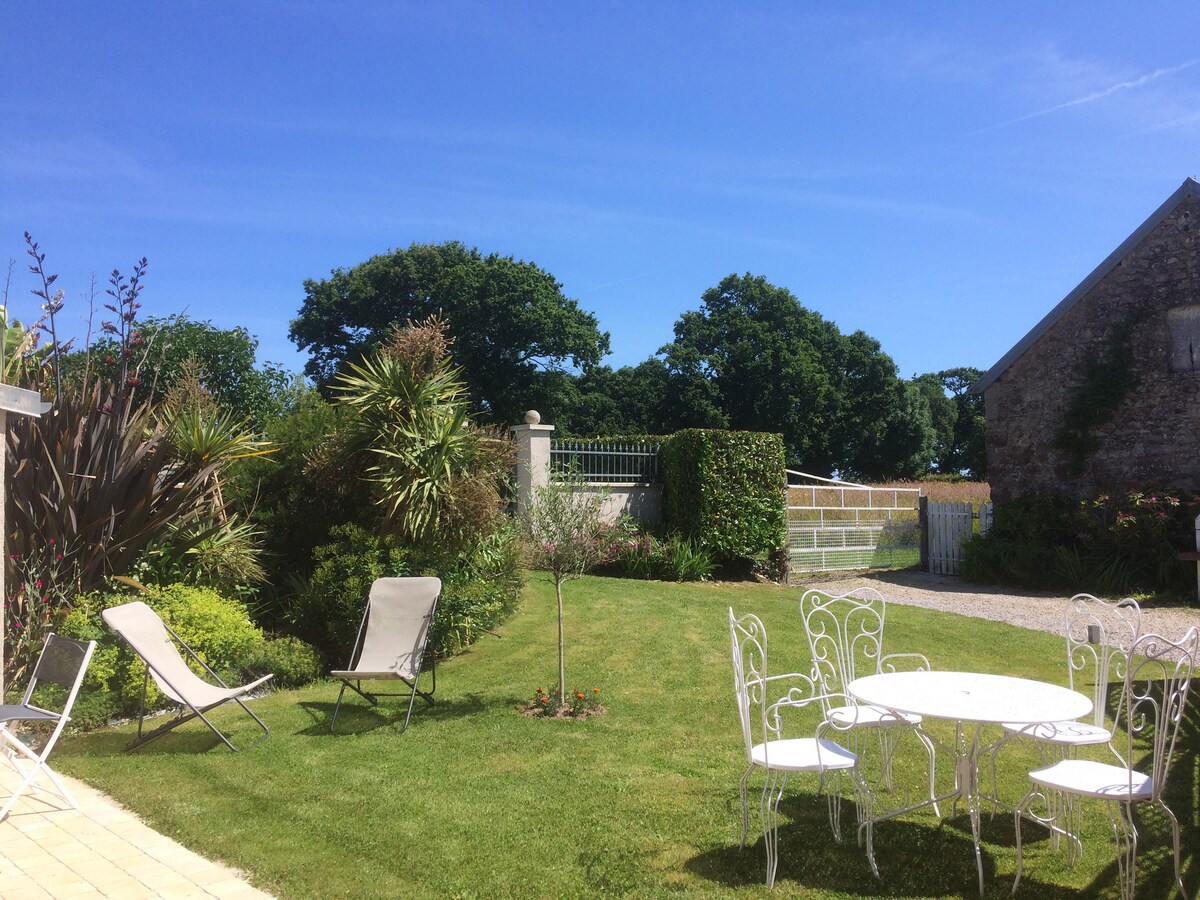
x: 413, y: 419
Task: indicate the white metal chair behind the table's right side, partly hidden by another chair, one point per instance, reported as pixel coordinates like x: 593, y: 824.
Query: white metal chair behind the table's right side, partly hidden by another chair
x: 1100, y: 637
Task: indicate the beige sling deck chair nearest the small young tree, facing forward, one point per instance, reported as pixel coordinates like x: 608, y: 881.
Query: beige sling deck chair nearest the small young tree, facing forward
x: 392, y: 641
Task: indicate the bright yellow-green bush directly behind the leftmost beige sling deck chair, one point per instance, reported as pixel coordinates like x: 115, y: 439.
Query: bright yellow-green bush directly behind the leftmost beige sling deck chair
x: 218, y: 629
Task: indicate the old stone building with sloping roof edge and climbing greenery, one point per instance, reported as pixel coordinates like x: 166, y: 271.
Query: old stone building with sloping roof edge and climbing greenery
x: 1105, y: 393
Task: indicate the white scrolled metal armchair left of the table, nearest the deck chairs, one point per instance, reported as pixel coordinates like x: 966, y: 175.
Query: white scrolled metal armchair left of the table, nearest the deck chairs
x: 763, y: 700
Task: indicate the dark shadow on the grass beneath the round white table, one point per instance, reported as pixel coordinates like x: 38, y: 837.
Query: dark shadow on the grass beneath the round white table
x: 916, y: 860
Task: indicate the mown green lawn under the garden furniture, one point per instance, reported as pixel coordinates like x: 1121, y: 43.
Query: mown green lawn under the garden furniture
x: 477, y: 800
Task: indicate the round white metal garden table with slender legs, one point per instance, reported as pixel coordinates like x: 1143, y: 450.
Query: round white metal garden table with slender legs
x: 970, y: 700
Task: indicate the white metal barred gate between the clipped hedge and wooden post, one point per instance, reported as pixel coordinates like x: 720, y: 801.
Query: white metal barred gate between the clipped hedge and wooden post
x: 837, y: 526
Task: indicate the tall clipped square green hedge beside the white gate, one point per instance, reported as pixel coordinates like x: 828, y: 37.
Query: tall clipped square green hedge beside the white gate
x: 724, y: 491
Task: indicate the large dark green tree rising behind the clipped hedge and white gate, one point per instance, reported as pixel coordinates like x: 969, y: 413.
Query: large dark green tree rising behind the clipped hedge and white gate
x: 753, y: 357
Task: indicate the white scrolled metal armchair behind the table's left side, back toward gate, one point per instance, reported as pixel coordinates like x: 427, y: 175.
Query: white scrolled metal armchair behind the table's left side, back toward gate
x: 845, y: 635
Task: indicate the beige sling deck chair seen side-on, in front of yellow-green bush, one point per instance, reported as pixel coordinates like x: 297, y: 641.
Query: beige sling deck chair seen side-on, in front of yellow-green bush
x: 155, y: 643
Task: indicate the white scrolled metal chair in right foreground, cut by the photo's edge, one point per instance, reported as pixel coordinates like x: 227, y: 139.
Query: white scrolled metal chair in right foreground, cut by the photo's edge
x: 1154, y: 706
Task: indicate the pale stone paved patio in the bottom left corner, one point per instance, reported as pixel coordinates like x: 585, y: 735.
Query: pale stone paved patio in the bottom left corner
x: 51, y: 851
